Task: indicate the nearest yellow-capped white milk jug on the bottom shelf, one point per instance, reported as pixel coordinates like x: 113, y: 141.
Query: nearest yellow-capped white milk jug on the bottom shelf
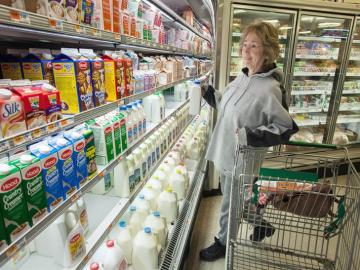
x: 167, y: 205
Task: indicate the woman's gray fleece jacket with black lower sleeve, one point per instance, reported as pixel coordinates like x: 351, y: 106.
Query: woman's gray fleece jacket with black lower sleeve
x: 252, y: 111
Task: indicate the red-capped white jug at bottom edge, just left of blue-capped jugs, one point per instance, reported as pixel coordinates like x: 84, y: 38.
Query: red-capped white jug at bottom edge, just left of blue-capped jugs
x: 114, y: 257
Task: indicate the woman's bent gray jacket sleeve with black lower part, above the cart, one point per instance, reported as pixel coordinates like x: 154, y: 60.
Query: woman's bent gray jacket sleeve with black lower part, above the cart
x: 278, y: 125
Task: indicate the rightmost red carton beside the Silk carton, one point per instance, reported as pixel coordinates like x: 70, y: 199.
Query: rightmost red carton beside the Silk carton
x: 50, y: 101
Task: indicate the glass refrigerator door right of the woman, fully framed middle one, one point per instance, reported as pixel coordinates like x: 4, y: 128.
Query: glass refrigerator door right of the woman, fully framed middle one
x: 320, y: 43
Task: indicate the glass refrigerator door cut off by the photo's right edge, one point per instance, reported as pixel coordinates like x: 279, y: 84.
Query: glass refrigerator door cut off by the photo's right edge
x: 348, y: 120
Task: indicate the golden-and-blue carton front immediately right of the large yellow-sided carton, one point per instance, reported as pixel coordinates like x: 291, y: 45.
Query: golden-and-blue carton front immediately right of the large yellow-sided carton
x: 98, y: 81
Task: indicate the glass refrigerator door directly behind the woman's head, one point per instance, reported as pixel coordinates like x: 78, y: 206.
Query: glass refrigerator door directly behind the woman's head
x: 243, y: 16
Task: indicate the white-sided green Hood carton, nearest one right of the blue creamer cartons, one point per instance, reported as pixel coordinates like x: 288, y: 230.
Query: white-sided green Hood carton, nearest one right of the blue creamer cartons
x: 104, y: 142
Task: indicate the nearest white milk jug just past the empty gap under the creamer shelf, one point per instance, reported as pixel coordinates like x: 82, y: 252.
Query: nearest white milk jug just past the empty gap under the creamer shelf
x: 121, y: 179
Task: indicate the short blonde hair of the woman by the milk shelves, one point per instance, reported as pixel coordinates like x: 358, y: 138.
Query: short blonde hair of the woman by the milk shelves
x: 269, y: 37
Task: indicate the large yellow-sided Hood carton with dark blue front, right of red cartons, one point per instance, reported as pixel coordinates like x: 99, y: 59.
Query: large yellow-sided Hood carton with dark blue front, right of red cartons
x: 72, y: 74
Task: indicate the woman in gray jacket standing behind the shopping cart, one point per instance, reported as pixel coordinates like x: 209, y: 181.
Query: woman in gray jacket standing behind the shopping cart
x: 252, y: 111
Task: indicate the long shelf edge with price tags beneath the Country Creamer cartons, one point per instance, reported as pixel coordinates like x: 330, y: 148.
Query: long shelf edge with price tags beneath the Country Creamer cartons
x: 35, y: 230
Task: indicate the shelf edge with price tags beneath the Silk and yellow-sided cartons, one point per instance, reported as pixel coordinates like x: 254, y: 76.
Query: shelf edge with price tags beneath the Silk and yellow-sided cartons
x: 31, y: 136
